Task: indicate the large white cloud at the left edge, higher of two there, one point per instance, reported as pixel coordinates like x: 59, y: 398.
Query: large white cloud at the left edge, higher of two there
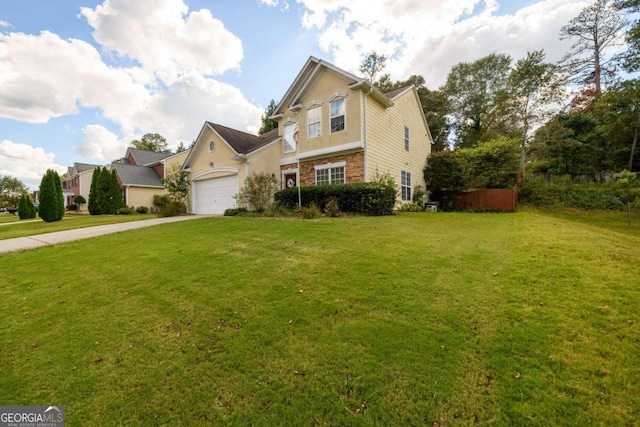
x: 43, y: 76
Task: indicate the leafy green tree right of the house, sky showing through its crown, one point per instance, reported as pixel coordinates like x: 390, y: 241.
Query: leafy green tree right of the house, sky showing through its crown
x: 473, y: 92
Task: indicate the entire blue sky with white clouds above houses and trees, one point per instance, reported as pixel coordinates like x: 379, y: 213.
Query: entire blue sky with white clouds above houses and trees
x: 79, y: 79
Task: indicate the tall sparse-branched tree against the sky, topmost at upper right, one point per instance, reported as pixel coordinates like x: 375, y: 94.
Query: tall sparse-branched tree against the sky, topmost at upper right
x: 593, y: 31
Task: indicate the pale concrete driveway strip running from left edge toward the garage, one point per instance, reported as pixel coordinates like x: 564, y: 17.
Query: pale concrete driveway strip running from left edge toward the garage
x: 50, y: 239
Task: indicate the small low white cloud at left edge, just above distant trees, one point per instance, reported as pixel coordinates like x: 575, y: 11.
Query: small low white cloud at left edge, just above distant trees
x: 26, y: 163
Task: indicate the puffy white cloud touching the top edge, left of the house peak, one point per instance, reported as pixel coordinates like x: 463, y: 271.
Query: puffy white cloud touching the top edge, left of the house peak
x: 164, y: 37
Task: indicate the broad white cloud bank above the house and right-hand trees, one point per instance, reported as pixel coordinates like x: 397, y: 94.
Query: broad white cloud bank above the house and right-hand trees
x: 429, y: 37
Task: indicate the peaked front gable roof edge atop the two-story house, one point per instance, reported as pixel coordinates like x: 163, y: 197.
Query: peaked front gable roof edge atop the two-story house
x: 311, y: 70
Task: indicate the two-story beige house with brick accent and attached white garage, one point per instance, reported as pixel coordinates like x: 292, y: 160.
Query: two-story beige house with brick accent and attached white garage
x: 333, y: 127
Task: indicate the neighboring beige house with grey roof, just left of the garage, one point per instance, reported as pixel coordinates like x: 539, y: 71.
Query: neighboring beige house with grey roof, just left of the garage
x: 140, y: 173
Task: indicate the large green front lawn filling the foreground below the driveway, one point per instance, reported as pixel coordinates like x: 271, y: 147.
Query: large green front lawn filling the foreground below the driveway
x: 455, y: 319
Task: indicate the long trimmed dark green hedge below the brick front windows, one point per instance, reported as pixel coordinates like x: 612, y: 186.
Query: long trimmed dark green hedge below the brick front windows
x: 362, y: 198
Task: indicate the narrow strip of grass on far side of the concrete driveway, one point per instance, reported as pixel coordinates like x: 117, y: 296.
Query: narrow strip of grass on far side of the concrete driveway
x: 14, y: 227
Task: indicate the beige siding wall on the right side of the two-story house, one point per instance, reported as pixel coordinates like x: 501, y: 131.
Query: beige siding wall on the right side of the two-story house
x: 385, y: 139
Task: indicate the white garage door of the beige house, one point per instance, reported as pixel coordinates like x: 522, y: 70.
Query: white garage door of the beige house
x: 214, y: 196
